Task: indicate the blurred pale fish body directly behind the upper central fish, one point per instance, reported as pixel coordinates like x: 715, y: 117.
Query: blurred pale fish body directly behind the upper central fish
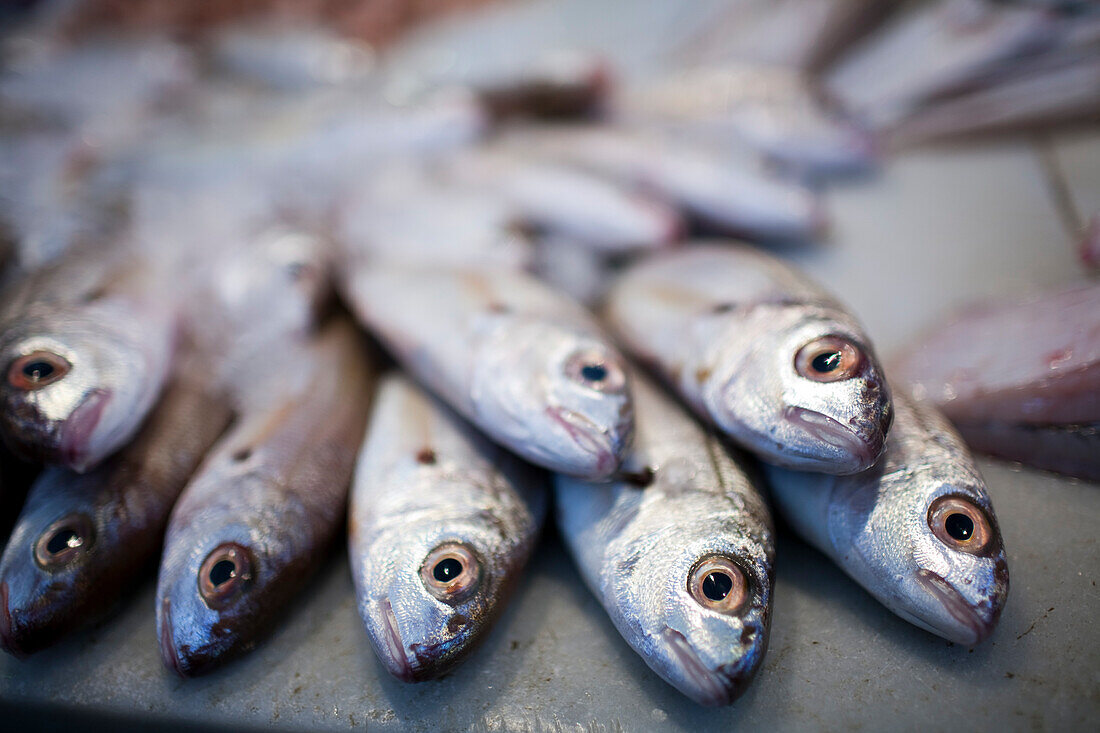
x: 404, y: 215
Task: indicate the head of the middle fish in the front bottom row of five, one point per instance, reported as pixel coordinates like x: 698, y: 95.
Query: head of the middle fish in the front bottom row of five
x: 436, y: 585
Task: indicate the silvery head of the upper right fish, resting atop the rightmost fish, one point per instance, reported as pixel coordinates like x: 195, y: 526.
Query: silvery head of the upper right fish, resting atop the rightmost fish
x: 808, y: 390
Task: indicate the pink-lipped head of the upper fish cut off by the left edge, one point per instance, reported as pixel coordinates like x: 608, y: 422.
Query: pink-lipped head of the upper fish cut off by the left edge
x: 72, y: 386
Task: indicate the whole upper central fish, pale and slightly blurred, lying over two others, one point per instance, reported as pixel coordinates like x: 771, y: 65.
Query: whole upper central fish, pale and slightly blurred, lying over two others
x: 527, y: 366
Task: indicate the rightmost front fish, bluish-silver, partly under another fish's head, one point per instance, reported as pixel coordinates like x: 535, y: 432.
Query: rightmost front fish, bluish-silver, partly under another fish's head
x: 918, y: 531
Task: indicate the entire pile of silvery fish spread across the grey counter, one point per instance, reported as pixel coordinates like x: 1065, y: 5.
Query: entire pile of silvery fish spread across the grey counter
x: 180, y: 344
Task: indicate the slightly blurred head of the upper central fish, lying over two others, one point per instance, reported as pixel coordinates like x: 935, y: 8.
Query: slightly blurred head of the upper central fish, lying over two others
x: 563, y: 396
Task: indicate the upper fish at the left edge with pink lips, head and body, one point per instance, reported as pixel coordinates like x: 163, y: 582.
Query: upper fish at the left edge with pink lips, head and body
x: 86, y: 346
